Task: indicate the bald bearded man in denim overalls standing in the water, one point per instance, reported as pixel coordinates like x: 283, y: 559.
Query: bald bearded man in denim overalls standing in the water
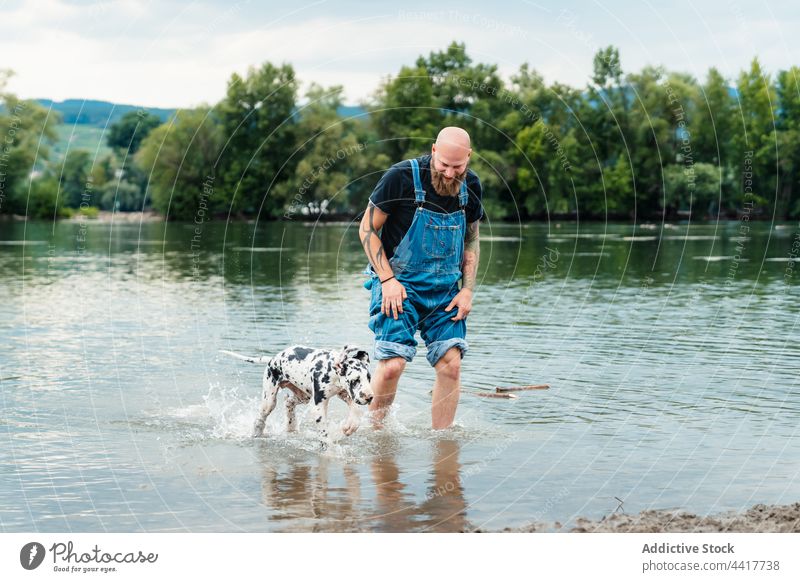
x: 420, y: 234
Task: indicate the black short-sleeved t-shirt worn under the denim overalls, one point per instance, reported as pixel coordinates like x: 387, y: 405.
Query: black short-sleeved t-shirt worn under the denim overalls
x: 394, y: 195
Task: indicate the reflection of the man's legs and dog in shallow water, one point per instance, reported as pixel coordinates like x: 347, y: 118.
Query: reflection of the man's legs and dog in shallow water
x: 320, y: 493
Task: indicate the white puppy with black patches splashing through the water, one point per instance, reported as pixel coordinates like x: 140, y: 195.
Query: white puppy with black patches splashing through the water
x: 313, y: 374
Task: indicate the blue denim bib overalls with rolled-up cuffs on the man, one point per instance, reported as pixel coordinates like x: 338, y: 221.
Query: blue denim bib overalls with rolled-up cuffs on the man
x: 428, y: 264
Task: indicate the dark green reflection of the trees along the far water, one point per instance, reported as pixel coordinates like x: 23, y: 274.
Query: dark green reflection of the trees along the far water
x: 285, y: 255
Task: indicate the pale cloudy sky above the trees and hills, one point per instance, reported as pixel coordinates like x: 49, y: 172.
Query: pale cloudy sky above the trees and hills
x: 181, y: 54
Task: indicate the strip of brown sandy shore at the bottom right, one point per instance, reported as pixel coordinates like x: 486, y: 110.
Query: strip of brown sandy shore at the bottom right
x: 759, y: 518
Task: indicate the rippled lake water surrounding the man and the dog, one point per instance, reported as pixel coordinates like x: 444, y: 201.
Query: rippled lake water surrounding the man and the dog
x: 672, y: 353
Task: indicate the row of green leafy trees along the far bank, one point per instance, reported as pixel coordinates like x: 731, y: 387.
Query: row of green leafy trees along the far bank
x: 640, y: 145
